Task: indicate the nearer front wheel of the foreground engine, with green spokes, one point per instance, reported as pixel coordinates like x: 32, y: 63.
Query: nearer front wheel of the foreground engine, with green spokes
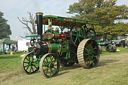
x: 49, y: 65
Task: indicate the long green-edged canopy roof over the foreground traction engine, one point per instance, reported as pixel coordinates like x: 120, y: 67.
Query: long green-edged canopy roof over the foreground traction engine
x: 64, y: 21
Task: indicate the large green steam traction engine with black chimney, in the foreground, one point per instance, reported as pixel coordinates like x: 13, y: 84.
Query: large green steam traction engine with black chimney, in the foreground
x: 50, y: 49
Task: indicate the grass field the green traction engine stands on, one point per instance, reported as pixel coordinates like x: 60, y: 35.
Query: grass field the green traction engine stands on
x: 111, y: 70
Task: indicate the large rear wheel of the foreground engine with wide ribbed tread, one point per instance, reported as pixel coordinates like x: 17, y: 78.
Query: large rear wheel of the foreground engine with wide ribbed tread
x: 88, y: 53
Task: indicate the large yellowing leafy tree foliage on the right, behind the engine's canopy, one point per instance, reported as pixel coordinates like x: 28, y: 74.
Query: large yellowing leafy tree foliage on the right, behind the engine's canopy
x: 105, y: 11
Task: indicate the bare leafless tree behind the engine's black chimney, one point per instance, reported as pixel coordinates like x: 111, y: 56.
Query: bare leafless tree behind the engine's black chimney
x: 28, y: 22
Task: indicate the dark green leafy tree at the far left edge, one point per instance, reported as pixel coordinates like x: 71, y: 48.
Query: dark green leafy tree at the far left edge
x: 4, y: 27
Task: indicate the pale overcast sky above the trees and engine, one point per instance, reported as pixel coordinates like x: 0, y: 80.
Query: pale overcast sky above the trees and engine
x: 19, y: 8
